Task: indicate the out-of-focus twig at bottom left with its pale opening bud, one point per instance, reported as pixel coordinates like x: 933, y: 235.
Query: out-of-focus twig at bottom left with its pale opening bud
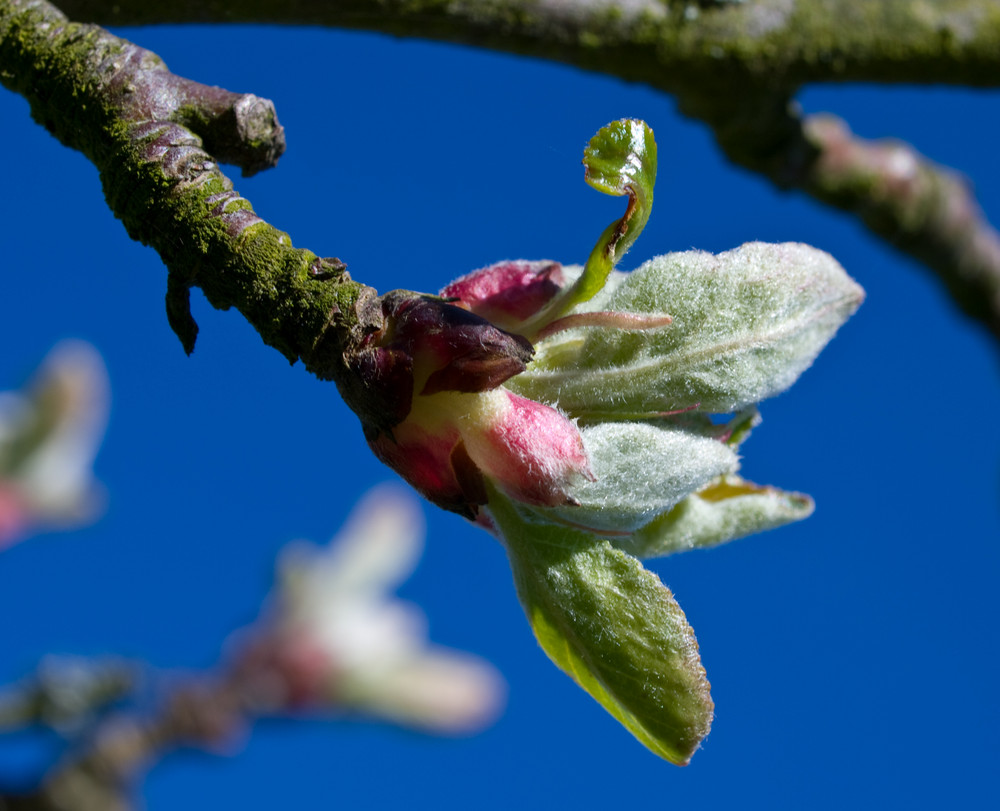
x: 331, y: 641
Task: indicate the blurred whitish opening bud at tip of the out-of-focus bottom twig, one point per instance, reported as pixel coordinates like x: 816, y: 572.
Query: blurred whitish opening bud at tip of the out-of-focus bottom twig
x: 334, y: 637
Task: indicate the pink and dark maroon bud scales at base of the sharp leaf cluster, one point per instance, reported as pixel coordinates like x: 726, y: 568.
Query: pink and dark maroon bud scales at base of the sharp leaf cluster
x: 428, y: 391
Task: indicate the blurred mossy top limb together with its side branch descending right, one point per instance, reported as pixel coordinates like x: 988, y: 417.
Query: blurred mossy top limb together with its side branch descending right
x: 699, y: 50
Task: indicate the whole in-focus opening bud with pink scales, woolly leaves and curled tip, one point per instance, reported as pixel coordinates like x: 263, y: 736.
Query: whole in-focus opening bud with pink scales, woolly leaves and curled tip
x: 589, y: 417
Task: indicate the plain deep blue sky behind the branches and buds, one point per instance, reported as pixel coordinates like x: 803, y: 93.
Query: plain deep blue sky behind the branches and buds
x: 853, y: 657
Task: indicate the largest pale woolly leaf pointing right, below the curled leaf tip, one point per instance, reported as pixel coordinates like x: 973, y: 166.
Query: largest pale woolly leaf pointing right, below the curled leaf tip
x: 746, y: 324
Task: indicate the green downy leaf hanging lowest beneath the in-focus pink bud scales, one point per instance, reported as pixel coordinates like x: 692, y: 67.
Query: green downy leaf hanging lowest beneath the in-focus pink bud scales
x: 613, y: 627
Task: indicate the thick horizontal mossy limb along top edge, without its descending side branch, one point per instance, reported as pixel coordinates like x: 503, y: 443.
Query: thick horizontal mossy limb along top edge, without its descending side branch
x: 671, y: 44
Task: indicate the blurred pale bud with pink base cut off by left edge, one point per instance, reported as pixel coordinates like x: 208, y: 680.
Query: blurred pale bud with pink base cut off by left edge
x: 49, y: 435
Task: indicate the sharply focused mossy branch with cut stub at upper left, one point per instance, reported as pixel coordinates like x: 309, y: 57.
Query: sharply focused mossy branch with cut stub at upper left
x: 155, y: 139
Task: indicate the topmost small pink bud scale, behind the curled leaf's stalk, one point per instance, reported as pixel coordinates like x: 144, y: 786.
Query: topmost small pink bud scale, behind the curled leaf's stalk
x: 508, y: 293
